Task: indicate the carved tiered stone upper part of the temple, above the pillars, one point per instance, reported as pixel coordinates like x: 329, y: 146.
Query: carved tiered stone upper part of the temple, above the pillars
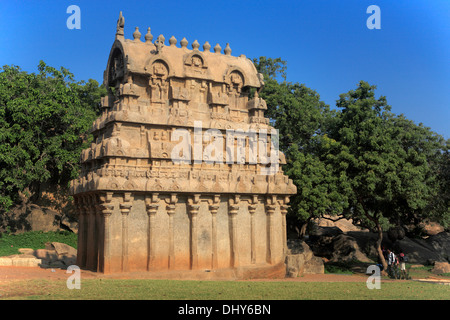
x: 156, y: 87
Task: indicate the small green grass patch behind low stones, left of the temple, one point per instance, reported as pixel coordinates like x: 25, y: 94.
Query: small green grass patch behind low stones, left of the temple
x: 10, y: 243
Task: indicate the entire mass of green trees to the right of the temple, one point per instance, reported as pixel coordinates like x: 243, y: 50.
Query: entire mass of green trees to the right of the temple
x: 359, y: 161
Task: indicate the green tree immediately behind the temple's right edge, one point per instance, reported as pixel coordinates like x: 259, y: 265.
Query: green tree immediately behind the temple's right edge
x: 301, y: 118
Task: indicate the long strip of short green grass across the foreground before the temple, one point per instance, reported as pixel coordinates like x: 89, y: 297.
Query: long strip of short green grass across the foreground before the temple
x: 108, y: 289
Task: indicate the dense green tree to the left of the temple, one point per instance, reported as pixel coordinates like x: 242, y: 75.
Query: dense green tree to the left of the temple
x: 44, y: 123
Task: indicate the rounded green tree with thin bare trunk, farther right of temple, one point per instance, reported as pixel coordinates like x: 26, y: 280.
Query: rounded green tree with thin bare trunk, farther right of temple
x: 387, y: 160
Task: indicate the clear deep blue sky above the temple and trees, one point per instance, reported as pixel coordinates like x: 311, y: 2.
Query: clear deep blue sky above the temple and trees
x: 325, y: 42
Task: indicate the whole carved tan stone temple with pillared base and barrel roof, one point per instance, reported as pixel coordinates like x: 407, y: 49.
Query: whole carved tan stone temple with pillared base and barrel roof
x: 183, y: 175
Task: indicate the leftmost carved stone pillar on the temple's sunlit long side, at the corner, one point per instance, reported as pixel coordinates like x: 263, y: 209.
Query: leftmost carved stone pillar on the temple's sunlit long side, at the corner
x: 106, y: 208
